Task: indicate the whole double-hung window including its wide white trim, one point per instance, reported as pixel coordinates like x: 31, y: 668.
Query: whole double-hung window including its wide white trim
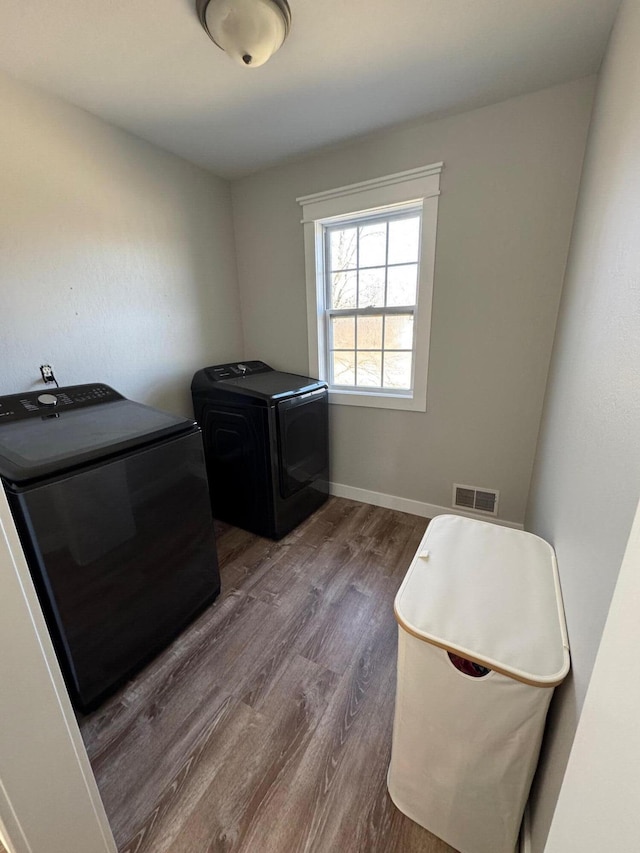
x: 370, y: 251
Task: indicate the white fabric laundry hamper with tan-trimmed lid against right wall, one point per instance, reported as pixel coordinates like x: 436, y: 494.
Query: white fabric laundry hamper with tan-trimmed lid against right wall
x: 467, y: 733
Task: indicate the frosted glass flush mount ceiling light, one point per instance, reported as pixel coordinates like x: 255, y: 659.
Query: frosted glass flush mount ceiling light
x: 250, y: 31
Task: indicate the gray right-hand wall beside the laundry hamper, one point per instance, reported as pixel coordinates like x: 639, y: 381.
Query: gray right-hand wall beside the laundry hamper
x: 586, y: 479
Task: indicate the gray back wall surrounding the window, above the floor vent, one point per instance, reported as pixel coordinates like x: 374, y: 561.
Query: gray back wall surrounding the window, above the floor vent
x: 508, y: 196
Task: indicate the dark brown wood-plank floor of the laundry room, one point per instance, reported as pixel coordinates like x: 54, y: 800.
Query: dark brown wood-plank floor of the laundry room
x: 266, y: 727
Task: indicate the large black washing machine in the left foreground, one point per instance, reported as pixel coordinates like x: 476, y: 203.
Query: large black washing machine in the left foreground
x: 111, y: 504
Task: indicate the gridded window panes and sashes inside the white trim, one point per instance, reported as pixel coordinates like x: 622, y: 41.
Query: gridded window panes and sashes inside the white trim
x: 371, y: 281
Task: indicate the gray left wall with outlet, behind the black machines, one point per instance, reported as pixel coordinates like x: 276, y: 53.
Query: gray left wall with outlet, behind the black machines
x: 118, y: 260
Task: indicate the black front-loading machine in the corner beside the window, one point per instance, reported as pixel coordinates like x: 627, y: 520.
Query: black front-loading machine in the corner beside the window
x: 266, y: 442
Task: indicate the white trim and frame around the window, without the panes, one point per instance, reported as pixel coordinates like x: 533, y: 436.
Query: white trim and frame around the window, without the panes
x: 416, y: 188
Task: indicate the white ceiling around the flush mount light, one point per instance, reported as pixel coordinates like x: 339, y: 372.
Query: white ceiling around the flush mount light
x: 348, y: 67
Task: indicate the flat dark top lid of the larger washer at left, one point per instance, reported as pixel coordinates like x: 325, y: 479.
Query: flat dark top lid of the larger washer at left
x: 42, y: 443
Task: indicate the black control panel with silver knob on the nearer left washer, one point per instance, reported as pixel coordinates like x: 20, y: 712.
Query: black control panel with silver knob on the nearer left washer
x: 15, y: 407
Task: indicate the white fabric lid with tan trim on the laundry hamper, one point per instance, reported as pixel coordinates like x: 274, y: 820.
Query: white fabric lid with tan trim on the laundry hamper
x: 490, y: 594
